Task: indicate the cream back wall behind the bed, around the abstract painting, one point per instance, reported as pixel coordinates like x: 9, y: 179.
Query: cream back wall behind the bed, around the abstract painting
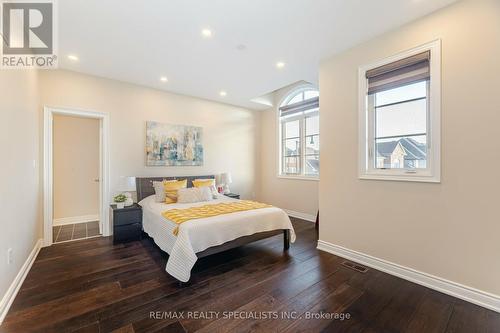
x: 230, y: 133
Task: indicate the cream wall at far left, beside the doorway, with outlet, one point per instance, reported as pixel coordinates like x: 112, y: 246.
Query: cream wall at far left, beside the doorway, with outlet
x: 19, y: 171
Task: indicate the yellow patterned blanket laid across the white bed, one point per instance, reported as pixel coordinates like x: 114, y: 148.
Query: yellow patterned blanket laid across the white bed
x: 179, y: 216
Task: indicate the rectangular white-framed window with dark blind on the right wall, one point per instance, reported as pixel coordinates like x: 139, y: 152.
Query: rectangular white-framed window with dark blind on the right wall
x: 400, y: 117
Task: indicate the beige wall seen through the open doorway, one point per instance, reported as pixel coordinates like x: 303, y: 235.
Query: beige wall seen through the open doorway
x: 76, y: 165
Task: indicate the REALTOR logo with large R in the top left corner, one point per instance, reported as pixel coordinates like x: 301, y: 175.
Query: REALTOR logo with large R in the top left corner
x: 28, y: 32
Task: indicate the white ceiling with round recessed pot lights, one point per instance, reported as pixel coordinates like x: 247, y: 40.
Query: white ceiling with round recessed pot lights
x: 141, y: 41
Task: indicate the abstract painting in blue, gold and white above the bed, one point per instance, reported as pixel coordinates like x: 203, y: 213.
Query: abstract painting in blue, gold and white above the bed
x: 173, y: 145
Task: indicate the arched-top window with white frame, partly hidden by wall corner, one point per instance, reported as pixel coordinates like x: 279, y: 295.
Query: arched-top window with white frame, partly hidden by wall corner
x: 299, y: 134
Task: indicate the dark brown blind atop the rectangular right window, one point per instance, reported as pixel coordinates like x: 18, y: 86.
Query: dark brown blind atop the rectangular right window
x: 399, y: 73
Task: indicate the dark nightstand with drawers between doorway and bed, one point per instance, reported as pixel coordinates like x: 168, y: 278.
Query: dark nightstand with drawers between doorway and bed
x: 127, y: 223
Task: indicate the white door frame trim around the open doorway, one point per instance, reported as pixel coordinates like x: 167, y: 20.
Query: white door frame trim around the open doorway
x: 48, y: 179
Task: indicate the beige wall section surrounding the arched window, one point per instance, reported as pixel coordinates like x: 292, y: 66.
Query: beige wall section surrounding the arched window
x: 293, y: 194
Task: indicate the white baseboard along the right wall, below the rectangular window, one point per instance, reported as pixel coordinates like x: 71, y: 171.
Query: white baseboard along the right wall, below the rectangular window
x: 469, y: 294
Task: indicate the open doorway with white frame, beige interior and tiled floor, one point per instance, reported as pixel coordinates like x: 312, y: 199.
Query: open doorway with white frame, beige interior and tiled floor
x: 75, y: 175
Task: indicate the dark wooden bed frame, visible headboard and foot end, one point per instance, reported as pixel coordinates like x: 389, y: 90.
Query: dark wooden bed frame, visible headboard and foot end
x: 145, y: 188
